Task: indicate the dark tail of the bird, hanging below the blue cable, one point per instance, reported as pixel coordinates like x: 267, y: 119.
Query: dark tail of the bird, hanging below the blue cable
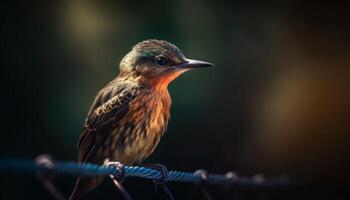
x: 83, y: 186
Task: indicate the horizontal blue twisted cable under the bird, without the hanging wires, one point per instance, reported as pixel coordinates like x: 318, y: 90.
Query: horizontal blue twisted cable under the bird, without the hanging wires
x: 89, y: 169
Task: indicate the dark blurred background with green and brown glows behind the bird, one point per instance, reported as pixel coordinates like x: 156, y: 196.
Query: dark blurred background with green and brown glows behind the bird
x: 277, y: 102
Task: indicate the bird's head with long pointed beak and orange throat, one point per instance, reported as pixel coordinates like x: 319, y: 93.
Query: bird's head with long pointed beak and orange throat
x: 157, y: 62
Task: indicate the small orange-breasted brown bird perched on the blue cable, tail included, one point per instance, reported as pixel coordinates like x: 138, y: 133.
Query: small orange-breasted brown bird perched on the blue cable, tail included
x: 131, y: 113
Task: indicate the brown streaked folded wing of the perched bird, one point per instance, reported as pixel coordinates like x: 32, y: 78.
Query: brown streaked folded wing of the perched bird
x: 110, y: 105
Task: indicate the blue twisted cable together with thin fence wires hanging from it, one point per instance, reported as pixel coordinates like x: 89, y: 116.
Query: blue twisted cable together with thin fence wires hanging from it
x: 118, y: 172
